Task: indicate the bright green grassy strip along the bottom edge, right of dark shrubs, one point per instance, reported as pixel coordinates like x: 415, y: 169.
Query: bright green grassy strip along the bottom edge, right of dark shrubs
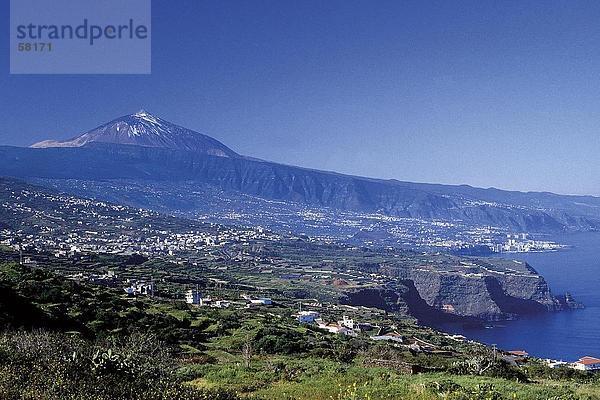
x: 316, y: 379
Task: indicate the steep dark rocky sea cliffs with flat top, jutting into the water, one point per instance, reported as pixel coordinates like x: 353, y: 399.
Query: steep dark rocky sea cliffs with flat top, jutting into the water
x: 474, y: 290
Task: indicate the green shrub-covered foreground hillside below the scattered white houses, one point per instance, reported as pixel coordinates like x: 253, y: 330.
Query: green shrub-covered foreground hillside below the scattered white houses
x: 64, y: 340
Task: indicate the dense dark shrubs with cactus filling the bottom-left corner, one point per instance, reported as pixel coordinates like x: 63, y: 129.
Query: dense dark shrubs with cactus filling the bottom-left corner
x: 42, y: 365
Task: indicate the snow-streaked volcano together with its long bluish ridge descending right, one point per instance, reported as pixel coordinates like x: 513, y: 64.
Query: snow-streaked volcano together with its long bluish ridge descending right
x: 146, y: 148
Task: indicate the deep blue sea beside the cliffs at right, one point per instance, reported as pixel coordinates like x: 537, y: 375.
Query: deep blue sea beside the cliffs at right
x: 565, y: 335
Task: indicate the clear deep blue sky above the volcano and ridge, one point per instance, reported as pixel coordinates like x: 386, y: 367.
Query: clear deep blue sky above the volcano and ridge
x: 487, y: 93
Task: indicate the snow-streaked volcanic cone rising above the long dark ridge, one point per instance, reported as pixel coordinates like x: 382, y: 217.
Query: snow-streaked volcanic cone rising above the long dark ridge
x: 144, y: 129
